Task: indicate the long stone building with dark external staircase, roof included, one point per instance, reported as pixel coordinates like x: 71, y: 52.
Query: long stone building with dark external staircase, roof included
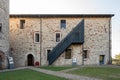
x: 60, y: 39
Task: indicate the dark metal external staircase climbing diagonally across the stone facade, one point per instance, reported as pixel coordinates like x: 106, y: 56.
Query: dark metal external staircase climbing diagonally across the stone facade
x: 75, y: 36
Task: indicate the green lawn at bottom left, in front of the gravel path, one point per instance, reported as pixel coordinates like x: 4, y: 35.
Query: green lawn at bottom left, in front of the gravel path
x: 27, y: 74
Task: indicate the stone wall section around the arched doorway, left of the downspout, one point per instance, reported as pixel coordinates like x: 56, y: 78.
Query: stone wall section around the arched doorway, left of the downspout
x: 22, y: 40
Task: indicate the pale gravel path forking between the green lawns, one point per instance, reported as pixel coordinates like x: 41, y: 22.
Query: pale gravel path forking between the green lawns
x: 55, y: 73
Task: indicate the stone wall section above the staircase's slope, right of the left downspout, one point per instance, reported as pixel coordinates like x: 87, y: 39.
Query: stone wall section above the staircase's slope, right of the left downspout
x: 51, y: 26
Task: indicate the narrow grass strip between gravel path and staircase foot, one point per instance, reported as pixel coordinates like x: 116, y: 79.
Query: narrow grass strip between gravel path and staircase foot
x: 56, y: 68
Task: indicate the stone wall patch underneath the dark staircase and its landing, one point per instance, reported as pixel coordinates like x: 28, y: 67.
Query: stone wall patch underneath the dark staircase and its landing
x: 76, y: 53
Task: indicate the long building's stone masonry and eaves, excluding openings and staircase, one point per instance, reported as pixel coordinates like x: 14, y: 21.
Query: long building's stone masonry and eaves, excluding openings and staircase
x: 97, y: 38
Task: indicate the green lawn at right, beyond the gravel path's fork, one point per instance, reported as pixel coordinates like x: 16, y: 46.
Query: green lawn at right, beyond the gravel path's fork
x: 105, y: 73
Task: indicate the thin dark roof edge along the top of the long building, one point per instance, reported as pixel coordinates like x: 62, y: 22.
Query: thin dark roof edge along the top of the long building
x: 58, y: 15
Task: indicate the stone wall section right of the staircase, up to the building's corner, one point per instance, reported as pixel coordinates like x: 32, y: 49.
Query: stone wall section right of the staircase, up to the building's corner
x: 97, y: 39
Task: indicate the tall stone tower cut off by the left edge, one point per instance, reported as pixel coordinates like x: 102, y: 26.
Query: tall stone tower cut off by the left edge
x: 4, y: 30
